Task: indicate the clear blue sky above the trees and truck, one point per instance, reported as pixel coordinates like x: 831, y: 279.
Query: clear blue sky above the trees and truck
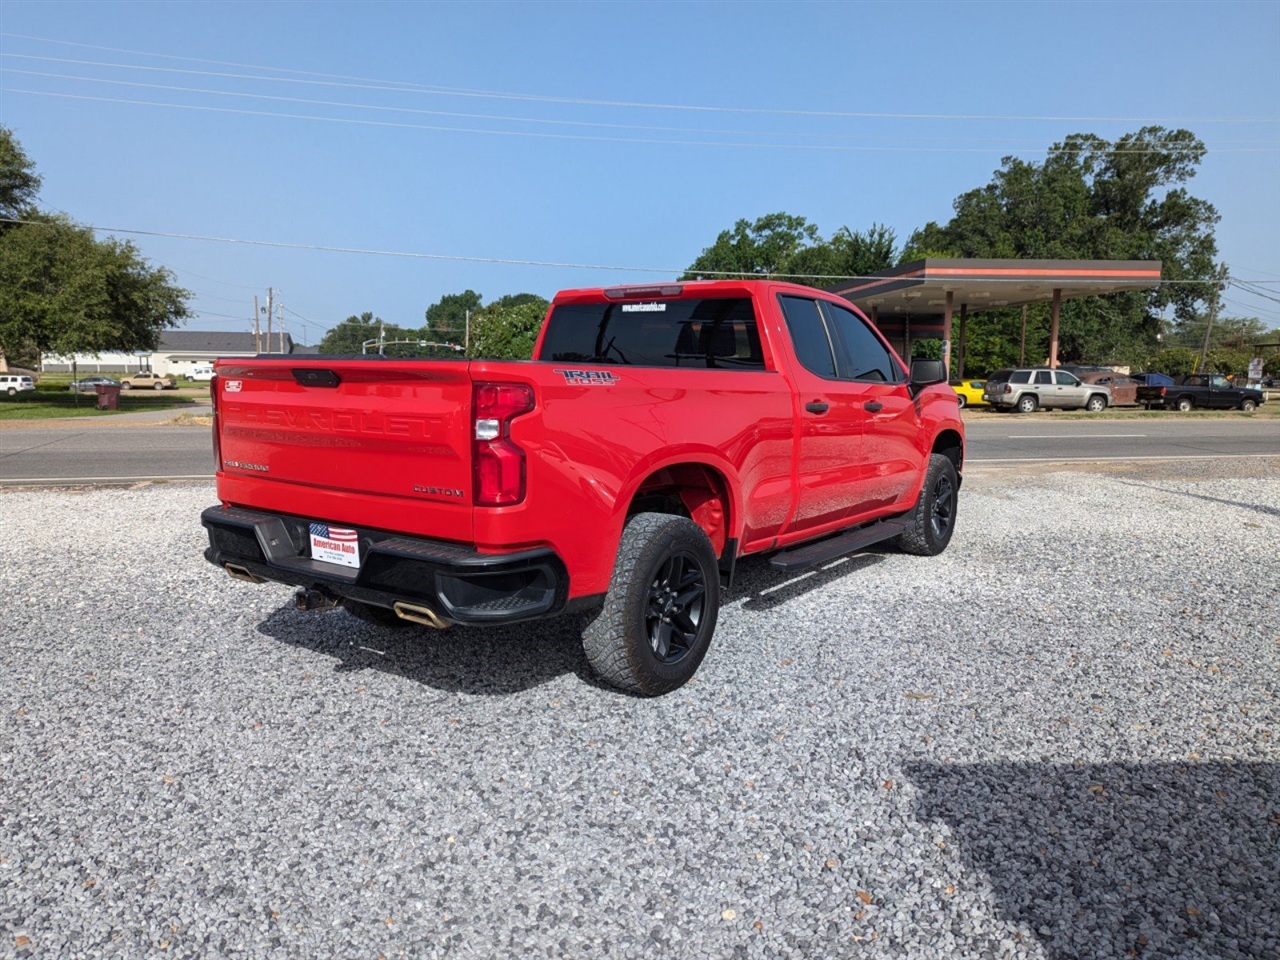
x: 607, y: 184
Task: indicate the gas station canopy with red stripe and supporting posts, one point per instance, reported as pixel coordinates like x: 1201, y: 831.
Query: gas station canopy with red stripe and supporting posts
x: 921, y: 298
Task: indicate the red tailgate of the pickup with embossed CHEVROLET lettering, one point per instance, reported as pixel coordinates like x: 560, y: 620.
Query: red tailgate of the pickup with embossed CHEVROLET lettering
x: 360, y: 442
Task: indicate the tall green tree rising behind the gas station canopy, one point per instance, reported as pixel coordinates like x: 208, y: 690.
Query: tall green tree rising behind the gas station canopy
x: 1091, y: 199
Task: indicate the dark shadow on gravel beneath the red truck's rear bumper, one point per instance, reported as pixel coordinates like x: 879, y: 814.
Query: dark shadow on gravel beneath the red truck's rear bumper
x: 491, y: 661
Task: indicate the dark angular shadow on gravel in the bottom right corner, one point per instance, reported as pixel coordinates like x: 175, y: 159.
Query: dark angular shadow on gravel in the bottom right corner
x: 1116, y: 861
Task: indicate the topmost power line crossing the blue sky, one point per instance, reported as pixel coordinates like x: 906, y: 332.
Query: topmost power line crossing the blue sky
x: 405, y: 86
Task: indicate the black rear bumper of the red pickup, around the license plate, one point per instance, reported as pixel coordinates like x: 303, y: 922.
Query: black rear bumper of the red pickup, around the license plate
x: 460, y: 584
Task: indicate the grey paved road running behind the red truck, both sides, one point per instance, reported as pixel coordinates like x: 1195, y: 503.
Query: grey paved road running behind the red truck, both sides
x: 70, y: 452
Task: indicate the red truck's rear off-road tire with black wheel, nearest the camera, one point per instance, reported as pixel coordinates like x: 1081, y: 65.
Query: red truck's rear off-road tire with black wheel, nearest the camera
x: 620, y: 643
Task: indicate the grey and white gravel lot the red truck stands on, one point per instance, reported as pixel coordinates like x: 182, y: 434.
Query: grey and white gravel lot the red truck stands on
x: 1057, y: 740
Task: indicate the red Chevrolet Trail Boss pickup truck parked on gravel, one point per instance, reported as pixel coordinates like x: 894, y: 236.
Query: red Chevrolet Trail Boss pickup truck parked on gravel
x: 659, y: 435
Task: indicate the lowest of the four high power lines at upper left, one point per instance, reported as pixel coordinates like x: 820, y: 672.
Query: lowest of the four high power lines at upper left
x: 532, y: 135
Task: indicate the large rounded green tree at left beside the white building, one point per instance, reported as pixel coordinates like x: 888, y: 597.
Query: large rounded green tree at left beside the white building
x: 63, y: 291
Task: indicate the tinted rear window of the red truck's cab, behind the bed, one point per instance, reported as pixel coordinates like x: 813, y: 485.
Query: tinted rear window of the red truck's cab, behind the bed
x: 717, y: 333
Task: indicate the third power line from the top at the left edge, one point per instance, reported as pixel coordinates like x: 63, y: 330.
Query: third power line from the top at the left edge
x: 1149, y: 147
